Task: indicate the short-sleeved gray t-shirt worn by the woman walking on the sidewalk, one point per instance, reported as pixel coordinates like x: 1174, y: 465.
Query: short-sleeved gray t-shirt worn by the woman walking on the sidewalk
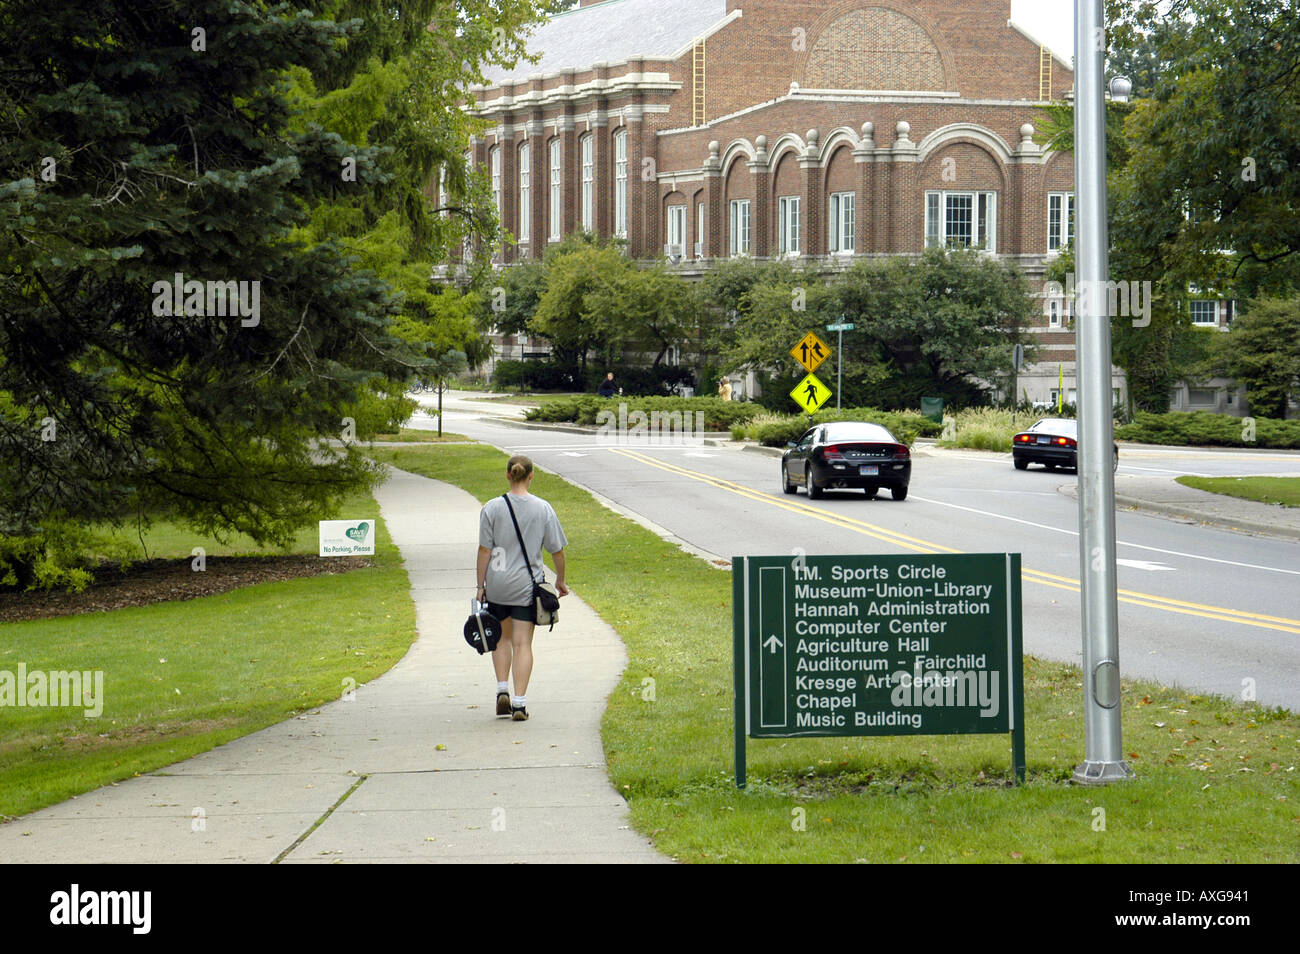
x: 508, y: 579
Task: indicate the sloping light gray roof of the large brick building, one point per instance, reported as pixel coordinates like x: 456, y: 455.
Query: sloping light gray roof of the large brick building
x: 613, y: 32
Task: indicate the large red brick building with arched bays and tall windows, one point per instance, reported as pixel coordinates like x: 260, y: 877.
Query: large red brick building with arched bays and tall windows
x: 818, y: 129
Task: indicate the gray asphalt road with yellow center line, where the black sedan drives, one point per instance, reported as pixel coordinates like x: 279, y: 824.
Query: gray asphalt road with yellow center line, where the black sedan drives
x: 1199, y: 608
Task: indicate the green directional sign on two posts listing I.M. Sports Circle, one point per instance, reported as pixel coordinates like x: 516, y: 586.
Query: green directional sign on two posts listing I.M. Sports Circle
x: 870, y: 645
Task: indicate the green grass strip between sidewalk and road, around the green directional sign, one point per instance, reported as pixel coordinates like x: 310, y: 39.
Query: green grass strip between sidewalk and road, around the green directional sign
x: 1217, y: 782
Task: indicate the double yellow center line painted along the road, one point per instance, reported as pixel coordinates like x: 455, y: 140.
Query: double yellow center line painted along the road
x: 922, y: 547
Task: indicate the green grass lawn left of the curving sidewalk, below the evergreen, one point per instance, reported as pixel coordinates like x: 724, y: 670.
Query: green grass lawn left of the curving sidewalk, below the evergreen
x: 183, y: 678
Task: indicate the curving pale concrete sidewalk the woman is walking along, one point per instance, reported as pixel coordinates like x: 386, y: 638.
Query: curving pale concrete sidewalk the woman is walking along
x: 415, y: 769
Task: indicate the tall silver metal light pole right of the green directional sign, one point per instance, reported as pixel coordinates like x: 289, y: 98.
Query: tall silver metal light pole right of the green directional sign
x: 1100, y: 608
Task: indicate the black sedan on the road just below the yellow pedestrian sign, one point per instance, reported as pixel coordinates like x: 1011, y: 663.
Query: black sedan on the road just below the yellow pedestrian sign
x: 847, y: 454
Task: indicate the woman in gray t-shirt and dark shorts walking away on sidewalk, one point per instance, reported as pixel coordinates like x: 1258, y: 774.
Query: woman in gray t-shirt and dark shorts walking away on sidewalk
x: 506, y: 578
